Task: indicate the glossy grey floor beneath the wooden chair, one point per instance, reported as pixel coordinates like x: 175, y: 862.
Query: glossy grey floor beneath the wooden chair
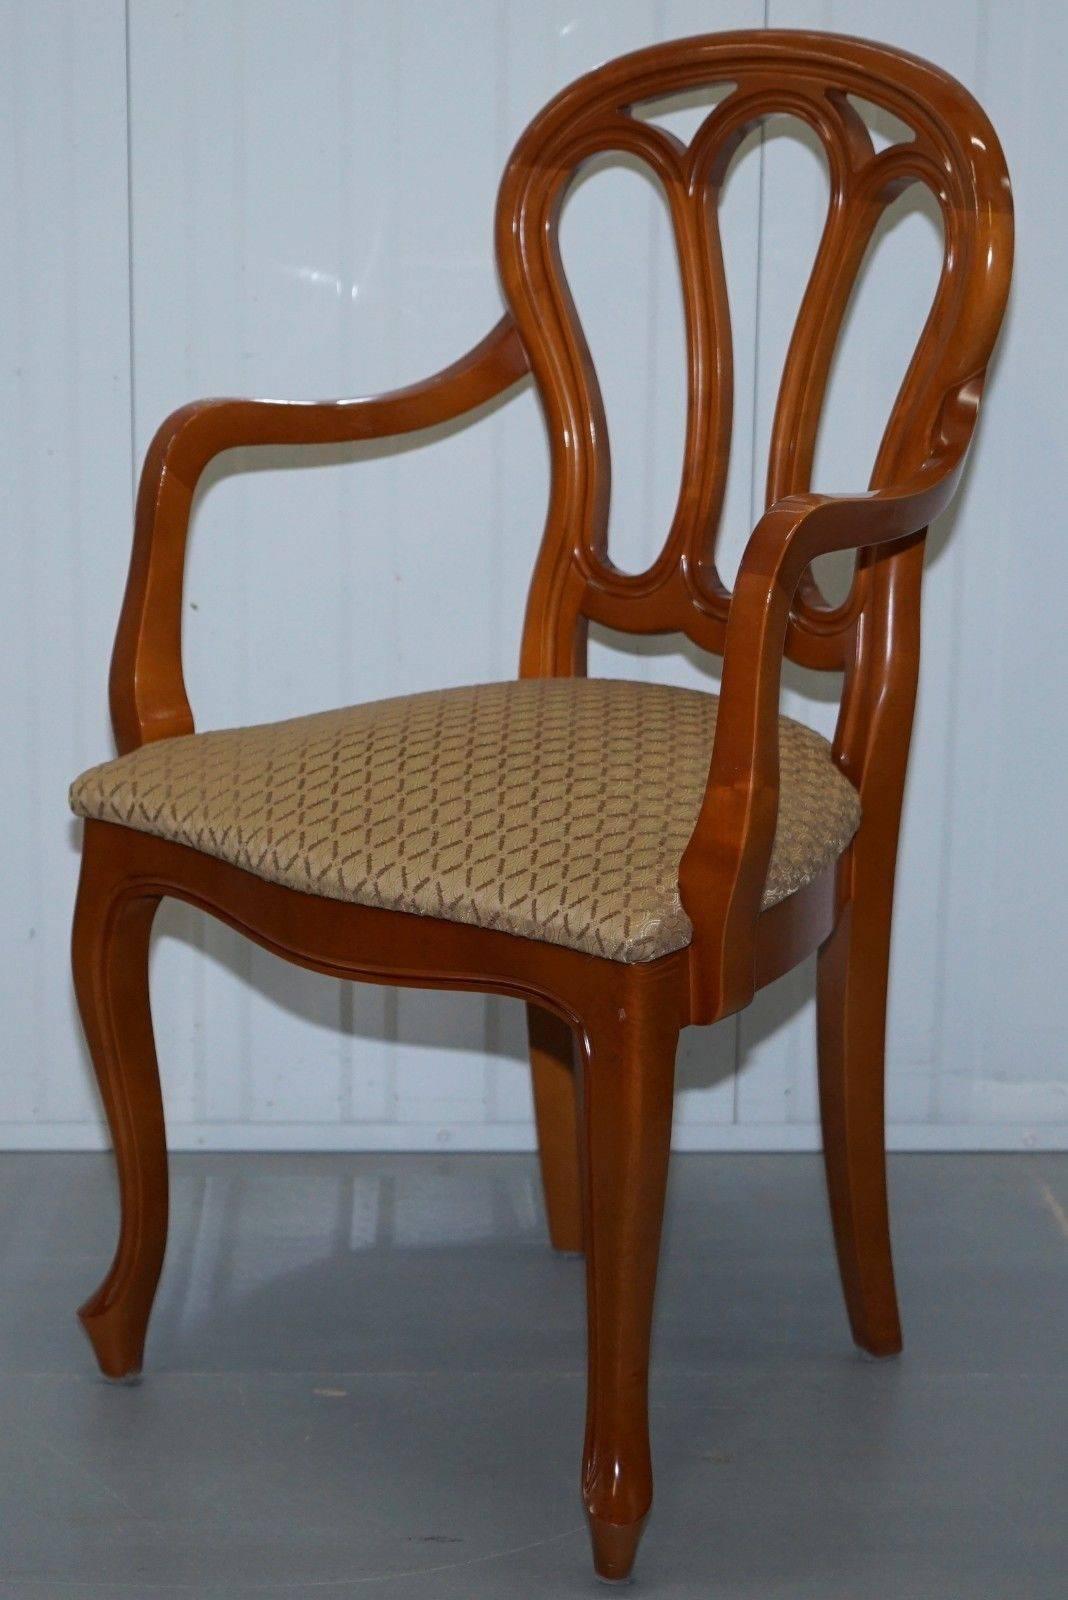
x: 365, y: 1378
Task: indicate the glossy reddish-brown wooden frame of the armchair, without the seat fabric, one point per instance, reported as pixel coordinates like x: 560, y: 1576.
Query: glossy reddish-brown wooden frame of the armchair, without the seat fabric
x: 604, y: 1034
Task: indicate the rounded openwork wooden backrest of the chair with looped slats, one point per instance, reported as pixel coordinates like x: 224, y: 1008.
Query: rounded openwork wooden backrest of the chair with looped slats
x: 954, y: 151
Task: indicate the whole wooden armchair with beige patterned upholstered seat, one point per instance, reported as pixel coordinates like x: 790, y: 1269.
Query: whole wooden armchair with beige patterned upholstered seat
x: 626, y: 858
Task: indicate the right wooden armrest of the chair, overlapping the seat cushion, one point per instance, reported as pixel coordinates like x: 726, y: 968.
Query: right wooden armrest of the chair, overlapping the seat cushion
x: 725, y: 866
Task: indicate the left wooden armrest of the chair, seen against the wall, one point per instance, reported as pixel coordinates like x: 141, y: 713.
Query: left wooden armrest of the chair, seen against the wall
x: 146, y: 687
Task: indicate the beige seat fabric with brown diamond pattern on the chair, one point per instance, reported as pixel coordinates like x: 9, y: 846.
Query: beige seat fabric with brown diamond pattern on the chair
x: 557, y: 809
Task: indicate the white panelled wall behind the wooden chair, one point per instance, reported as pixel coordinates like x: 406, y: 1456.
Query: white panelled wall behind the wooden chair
x: 290, y: 199
